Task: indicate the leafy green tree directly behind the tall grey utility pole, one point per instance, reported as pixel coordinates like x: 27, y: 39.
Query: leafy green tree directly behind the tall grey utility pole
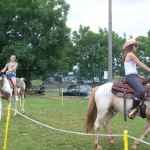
x: 91, y: 49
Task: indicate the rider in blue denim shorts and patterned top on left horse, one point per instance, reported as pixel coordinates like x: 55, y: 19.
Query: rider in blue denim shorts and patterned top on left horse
x: 10, y: 69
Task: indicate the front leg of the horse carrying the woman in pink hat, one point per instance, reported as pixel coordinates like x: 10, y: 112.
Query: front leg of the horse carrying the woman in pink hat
x: 146, y: 132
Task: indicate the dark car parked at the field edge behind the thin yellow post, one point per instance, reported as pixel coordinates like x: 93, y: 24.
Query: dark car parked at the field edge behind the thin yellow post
x: 77, y: 90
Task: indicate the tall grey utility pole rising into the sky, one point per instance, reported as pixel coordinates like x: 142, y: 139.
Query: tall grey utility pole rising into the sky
x: 110, y: 41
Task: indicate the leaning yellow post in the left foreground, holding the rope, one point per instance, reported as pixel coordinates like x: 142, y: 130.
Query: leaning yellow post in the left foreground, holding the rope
x: 7, y: 124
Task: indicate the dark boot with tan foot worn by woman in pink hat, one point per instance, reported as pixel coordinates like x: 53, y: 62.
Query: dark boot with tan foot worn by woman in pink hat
x: 132, y: 110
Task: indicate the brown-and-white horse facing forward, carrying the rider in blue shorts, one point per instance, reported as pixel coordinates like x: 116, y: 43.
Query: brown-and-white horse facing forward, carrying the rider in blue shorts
x: 6, y: 92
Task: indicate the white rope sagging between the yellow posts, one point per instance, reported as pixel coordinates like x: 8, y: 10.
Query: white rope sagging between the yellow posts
x: 78, y: 133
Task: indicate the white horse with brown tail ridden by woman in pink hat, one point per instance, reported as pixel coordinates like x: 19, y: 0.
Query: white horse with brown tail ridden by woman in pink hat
x: 102, y: 107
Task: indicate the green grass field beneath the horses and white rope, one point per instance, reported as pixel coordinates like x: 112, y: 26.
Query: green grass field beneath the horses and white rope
x: 24, y: 134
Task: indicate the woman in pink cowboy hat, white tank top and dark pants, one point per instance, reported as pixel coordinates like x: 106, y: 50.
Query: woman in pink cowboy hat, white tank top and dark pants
x: 132, y: 77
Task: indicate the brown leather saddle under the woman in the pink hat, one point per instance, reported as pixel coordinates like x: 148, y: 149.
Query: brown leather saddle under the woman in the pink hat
x: 120, y: 88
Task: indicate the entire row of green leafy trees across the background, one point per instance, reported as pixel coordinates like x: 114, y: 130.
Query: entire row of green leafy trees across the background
x: 37, y: 33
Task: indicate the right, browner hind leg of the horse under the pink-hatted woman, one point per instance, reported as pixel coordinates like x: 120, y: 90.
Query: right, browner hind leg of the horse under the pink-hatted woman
x: 106, y: 121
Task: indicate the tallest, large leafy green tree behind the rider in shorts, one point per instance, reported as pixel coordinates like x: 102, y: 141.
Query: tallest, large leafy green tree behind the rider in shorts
x: 36, y: 32
